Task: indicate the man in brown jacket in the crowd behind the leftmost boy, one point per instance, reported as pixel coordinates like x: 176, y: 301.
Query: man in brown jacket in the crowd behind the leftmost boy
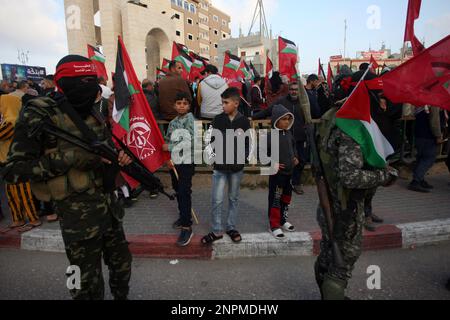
x: 169, y: 87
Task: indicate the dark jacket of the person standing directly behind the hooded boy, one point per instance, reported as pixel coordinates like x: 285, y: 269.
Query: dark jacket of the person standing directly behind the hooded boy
x: 298, y: 130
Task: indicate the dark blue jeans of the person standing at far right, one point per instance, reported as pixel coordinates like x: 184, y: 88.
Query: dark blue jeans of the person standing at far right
x: 426, y: 157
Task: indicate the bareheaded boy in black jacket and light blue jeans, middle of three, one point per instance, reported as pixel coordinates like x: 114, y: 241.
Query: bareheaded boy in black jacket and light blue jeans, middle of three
x: 229, y: 157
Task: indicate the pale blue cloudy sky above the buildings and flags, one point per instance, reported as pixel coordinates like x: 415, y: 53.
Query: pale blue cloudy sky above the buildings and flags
x: 317, y: 27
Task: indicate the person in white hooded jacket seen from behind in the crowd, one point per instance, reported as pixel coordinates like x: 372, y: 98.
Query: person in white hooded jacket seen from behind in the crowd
x: 209, y: 93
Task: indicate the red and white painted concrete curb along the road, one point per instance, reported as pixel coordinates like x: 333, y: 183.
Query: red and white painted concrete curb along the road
x: 253, y: 245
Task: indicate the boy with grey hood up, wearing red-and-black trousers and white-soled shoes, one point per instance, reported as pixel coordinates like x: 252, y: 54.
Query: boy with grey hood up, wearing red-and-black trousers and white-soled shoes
x: 280, y: 187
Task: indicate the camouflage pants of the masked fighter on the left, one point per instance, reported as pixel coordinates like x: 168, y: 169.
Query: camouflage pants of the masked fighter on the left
x: 87, y: 255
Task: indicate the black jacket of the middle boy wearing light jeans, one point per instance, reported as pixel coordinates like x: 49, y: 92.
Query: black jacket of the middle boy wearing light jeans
x: 240, y: 125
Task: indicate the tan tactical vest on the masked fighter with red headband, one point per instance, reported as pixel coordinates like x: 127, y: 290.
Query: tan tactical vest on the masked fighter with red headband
x: 75, y: 180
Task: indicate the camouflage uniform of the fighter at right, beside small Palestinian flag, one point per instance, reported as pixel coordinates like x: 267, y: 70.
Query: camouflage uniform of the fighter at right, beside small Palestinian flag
x: 349, y: 180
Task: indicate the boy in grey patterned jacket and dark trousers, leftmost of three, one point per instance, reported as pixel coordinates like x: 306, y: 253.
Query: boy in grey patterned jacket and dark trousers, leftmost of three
x: 180, y: 136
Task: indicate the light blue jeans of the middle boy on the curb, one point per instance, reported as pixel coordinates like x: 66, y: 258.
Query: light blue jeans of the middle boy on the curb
x: 220, y: 179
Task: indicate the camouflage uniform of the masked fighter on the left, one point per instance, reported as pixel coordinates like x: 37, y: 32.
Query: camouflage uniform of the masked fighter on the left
x: 91, y: 219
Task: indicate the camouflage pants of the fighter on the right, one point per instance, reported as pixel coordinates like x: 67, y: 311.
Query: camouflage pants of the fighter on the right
x: 348, y: 228
